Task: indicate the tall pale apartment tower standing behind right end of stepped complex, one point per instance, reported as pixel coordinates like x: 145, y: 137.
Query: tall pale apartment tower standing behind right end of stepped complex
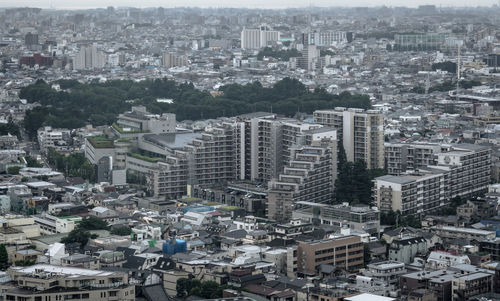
x: 361, y: 133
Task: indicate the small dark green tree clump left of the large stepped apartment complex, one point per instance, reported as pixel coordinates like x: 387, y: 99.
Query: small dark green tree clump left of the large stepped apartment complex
x: 73, y: 165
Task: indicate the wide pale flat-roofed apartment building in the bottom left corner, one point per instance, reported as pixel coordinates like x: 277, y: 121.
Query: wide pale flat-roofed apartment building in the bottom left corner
x: 49, y: 282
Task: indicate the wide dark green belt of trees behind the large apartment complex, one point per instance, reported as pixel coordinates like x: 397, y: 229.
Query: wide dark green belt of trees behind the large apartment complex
x: 100, y: 103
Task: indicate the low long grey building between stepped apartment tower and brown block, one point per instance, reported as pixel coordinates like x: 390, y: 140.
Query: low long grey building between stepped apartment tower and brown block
x: 362, y: 218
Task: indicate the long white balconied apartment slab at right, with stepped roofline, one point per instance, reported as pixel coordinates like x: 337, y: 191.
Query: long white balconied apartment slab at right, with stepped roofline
x: 463, y: 170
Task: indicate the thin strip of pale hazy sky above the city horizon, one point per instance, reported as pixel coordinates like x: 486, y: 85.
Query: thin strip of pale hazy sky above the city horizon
x: 80, y: 4
